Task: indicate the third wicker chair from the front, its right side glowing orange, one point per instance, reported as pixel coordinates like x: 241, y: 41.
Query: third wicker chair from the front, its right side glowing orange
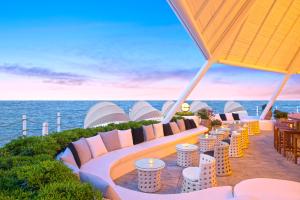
x: 235, y: 148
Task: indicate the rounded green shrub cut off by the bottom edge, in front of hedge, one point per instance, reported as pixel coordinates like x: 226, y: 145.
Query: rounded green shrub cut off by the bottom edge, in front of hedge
x: 69, y: 191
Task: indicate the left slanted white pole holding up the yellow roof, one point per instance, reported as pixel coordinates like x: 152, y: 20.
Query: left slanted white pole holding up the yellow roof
x: 188, y: 90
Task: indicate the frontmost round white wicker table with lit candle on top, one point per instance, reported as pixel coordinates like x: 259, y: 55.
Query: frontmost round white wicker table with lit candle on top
x: 149, y: 171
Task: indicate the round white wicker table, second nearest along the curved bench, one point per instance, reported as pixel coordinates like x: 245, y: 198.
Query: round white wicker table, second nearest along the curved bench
x: 187, y: 155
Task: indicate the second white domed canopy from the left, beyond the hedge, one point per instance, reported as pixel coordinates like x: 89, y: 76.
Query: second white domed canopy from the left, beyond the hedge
x: 144, y: 111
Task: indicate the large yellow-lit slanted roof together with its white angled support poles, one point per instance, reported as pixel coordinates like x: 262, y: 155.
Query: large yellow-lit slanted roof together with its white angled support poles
x: 256, y: 34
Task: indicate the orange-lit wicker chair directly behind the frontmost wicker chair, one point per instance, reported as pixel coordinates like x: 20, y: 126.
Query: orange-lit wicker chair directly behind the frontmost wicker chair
x: 221, y: 154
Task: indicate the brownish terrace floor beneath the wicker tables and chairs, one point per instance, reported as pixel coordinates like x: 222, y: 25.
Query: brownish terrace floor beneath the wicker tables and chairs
x: 261, y: 160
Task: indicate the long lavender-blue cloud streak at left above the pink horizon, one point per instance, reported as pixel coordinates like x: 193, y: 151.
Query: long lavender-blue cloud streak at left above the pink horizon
x: 48, y: 76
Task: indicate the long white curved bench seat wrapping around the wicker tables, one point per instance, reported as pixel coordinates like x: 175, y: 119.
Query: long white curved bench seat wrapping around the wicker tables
x: 116, y: 163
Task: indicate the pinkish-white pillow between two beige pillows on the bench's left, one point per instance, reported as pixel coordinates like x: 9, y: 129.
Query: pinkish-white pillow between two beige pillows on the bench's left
x: 96, y: 145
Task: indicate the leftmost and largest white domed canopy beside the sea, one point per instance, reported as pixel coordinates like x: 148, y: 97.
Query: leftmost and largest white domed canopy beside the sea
x: 103, y: 113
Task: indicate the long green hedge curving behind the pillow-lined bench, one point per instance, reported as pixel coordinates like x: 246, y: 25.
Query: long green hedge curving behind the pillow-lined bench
x: 28, y: 169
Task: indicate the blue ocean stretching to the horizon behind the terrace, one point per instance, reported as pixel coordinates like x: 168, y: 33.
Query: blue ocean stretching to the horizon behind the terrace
x: 73, y: 114
